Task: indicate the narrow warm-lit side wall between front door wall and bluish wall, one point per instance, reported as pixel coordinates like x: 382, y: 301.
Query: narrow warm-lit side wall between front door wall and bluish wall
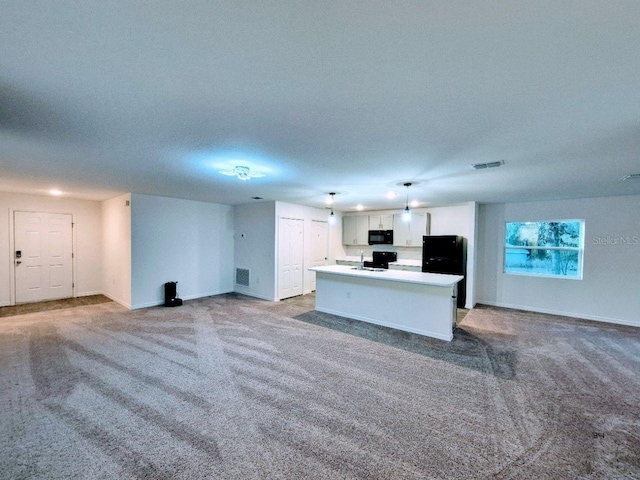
x: 116, y: 249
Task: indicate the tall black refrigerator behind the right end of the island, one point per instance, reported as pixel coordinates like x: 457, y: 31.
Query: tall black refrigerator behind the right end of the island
x: 446, y: 254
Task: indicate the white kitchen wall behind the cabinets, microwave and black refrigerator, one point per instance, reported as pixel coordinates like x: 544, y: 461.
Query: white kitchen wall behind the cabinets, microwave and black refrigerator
x: 447, y: 220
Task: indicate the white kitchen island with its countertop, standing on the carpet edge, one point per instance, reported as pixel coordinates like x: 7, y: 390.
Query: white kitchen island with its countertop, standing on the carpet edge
x: 423, y: 303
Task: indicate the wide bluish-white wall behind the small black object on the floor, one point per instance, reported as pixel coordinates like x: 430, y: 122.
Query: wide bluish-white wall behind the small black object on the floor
x: 179, y: 240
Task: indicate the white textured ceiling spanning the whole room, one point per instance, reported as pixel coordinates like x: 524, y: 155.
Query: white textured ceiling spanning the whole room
x: 102, y: 97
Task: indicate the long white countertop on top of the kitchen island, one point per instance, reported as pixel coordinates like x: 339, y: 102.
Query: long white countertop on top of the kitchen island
x: 435, y: 279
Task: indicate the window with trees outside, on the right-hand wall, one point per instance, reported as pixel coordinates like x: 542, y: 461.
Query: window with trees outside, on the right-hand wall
x: 550, y: 249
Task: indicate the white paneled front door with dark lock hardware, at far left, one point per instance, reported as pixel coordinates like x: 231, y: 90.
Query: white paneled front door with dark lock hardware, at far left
x: 43, y: 256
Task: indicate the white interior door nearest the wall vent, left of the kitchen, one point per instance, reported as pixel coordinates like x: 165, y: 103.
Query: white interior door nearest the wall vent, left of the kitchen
x: 290, y: 257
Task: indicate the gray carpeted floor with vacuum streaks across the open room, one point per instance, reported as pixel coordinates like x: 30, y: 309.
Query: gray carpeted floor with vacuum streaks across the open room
x: 231, y: 387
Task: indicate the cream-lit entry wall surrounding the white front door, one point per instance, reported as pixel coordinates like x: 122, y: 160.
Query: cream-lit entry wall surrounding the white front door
x: 86, y: 241
